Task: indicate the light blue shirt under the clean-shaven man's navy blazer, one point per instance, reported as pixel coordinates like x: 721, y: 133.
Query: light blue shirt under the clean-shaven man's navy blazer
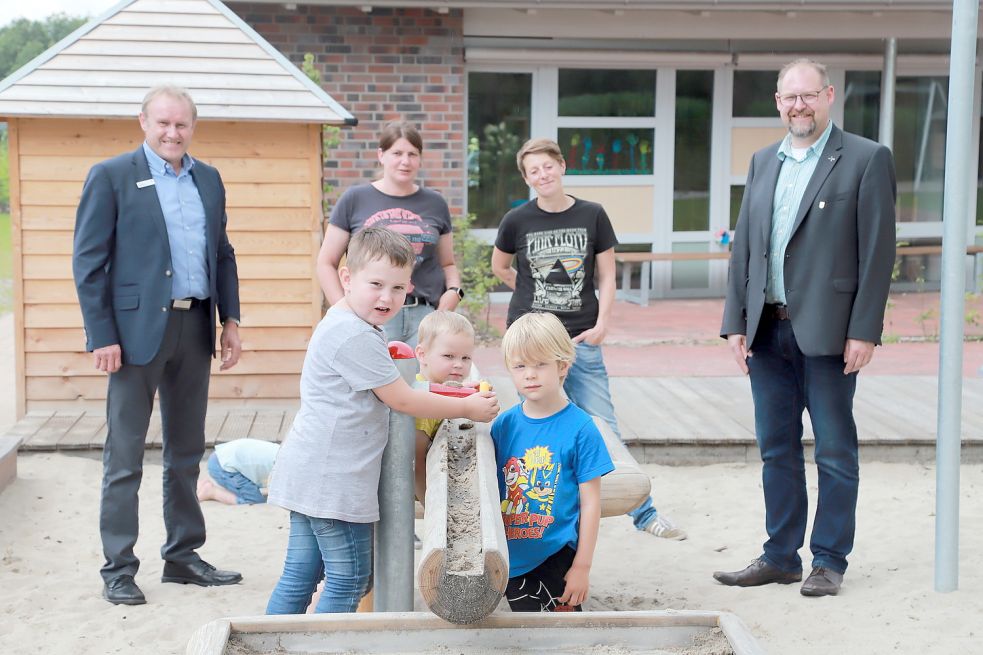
x: 184, y: 215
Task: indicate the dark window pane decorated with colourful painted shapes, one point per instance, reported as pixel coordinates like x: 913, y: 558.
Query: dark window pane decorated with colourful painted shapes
x: 606, y: 151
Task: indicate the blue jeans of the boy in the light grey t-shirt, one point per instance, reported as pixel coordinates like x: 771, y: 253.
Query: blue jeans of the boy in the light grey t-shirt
x: 338, y: 551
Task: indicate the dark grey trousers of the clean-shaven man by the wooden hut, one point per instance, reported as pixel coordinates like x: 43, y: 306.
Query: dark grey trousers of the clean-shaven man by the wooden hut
x: 180, y: 373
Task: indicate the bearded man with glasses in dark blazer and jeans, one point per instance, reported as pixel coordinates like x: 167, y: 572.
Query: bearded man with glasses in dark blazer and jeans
x: 809, y: 278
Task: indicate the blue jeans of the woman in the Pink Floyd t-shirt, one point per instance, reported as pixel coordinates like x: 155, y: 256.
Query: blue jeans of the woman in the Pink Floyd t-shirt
x: 587, y: 387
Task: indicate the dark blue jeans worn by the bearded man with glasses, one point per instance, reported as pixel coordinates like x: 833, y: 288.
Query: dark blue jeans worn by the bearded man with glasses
x: 784, y: 382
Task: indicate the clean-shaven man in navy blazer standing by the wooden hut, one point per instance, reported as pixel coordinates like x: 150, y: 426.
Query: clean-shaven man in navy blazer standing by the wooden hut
x: 152, y: 263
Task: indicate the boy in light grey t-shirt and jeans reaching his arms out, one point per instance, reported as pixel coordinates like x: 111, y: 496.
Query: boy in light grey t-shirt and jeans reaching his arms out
x: 327, y: 471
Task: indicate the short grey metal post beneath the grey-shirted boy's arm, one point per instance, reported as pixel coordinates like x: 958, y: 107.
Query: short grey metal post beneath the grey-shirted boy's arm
x: 393, y: 566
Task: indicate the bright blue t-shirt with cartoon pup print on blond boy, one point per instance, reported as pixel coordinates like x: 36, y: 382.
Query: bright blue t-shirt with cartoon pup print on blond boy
x: 541, y: 462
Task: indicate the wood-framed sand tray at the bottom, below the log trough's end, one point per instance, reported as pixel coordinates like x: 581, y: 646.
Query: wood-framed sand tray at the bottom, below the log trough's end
x: 419, y: 633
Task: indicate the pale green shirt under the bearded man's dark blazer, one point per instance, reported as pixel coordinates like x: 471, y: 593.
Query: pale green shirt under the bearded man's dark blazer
x: 796, y: 171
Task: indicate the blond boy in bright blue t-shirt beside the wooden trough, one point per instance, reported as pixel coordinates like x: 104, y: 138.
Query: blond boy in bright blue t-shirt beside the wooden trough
x: 550, y: 457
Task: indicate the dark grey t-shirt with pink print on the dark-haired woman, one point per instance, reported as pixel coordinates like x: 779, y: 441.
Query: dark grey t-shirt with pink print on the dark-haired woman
x: 422, y: 217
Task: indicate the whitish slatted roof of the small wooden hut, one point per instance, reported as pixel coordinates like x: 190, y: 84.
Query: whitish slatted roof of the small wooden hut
x: 104, y: 68
